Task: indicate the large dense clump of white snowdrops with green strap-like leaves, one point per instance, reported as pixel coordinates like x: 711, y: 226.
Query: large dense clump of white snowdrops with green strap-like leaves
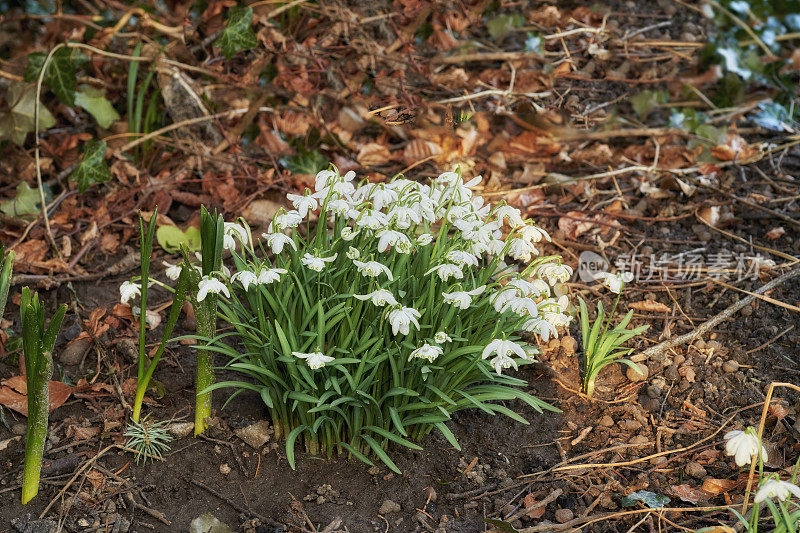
x: 371, y: 312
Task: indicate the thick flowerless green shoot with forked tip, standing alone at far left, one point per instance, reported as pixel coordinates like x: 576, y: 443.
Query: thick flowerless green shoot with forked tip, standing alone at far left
x: 37, y: 343
